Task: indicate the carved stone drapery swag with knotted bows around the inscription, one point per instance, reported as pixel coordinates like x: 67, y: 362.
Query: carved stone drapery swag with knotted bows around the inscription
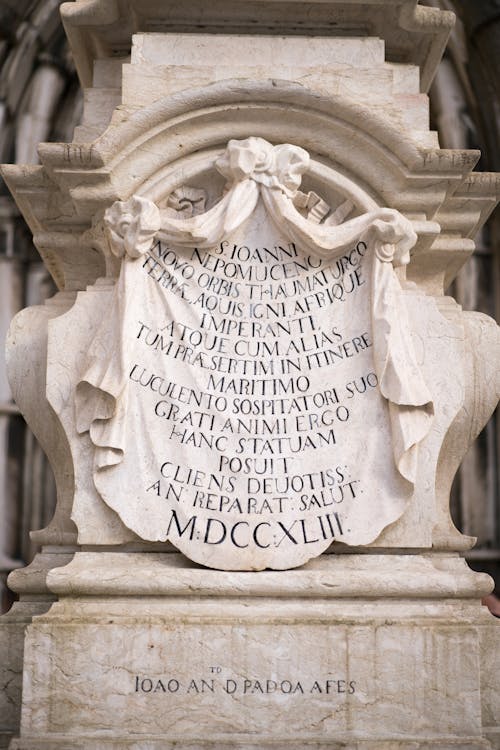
x: 254, y: 168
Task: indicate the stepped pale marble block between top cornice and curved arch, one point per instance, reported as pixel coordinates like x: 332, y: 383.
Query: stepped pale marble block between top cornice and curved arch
x: 164, y: 64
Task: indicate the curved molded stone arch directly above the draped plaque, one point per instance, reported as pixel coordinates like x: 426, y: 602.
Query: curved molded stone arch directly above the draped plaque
x: 130, y: 153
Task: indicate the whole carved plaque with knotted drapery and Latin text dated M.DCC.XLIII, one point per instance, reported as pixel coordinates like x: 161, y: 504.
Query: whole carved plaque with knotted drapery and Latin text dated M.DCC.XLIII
x: 252, y: 394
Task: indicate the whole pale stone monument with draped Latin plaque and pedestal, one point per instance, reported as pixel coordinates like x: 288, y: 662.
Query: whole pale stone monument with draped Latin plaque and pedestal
x: 253, y: 391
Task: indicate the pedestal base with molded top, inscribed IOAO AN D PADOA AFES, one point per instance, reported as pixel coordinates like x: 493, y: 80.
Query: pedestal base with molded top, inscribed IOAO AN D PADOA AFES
x: 146, y: 651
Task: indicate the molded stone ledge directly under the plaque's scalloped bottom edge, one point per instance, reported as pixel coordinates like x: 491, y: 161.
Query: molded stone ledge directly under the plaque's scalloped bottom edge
x: 330, y: 576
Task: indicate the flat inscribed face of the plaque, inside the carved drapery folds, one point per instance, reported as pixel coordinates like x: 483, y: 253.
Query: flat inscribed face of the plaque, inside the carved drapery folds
x: 252, y: 382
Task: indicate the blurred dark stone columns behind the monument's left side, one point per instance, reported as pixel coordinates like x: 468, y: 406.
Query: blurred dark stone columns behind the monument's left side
x: 40, y: 100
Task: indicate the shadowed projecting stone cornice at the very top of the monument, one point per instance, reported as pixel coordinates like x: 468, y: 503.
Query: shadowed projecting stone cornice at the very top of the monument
x: 412, y: 33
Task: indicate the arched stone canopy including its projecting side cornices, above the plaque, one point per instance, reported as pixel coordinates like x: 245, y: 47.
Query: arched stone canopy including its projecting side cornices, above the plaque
x: 80, y: 180
